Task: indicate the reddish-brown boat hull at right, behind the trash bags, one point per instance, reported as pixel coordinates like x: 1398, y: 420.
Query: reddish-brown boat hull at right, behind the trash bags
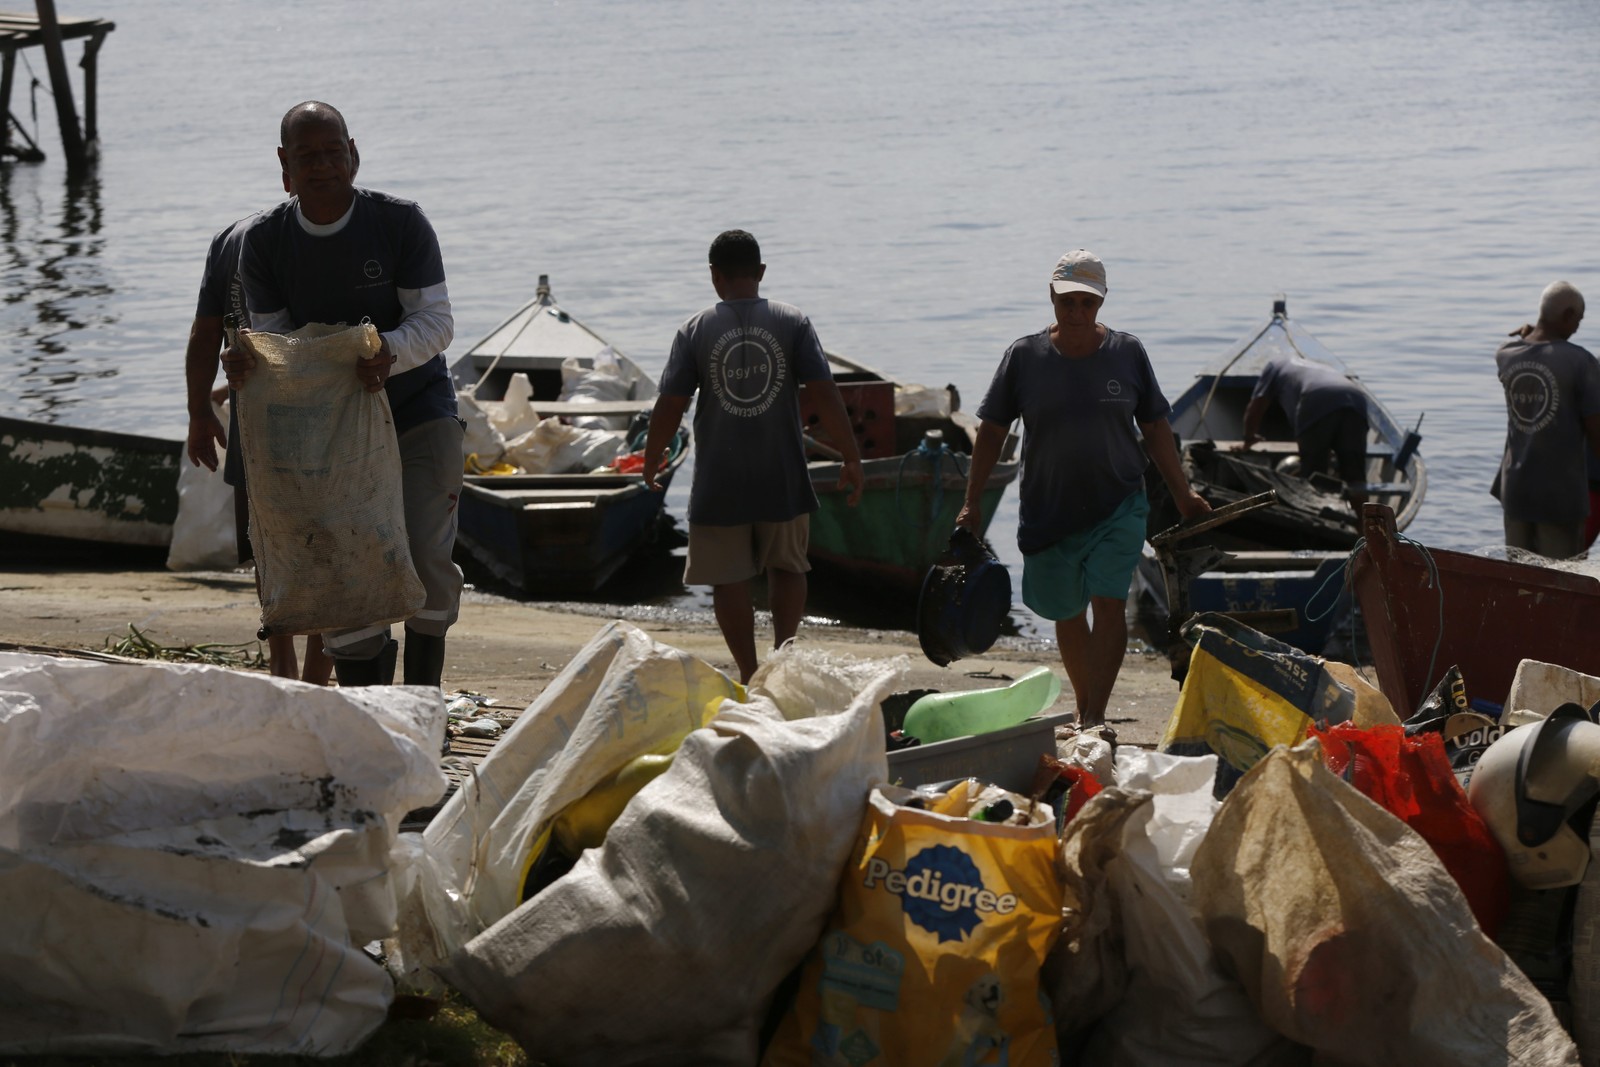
x: 1430, y: 609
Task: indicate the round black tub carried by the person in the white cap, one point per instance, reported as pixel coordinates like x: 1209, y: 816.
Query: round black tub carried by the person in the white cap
x: 966, y: 601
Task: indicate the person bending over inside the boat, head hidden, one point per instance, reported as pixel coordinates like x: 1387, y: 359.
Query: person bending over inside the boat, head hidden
x: 1327, y: 414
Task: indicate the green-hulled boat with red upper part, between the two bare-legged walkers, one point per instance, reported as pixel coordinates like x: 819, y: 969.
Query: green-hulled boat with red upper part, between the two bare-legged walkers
x: 916, y: 449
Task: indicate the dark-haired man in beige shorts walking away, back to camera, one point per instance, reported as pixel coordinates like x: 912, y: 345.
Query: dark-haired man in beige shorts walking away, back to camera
x: 753, y: 500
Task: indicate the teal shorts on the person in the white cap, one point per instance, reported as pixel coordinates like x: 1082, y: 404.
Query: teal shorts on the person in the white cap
x: 1098, y: 562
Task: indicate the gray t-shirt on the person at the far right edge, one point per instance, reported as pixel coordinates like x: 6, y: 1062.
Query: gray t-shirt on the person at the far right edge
x: 1551, y: 388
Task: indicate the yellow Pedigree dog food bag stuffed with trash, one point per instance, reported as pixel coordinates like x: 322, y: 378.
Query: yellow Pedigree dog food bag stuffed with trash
x: 935, y: 949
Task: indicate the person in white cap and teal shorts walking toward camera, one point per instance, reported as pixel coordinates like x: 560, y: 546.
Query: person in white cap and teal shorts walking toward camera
x: 1081, y: 390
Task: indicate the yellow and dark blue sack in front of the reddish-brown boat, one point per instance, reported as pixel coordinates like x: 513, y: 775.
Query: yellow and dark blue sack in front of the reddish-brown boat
x: 1246, y: 693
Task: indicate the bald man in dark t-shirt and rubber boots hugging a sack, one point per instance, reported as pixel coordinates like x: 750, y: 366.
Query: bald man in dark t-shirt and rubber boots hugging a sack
x: 335, y: 254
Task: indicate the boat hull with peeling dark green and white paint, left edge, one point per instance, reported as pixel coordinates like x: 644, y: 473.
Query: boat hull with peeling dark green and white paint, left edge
x: 86, y: 492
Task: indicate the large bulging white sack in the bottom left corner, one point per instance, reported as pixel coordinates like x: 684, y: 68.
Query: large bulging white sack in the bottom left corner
x: 191, y: 858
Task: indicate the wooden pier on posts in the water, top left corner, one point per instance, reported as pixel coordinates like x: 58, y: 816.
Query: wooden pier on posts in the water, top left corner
x: 46, y: 31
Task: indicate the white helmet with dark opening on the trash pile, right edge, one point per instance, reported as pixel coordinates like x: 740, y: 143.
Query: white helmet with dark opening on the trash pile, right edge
x: 1529, y: 786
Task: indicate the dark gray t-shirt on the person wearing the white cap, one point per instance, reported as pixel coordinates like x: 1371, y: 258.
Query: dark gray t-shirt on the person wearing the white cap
x: 1081, y: 452
